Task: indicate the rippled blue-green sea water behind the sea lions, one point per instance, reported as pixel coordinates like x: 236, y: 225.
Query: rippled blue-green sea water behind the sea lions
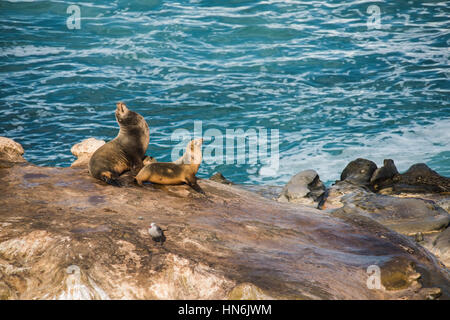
x: 335, y: 88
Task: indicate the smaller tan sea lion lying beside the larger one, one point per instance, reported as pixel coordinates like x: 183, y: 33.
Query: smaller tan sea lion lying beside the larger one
x: 171, y: 173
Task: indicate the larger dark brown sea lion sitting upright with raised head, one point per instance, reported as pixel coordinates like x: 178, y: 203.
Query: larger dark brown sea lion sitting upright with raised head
x: 123, y: 153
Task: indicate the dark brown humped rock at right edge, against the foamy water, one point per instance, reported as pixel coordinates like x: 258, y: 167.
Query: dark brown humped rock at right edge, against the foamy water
x: 421, y: 179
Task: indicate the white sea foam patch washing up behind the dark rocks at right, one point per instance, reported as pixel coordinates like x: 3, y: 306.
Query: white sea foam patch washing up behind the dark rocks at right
x: 413, y: 144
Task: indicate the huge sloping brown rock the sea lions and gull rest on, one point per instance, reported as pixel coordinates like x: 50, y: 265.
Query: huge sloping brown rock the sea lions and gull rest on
x: 66, y: 235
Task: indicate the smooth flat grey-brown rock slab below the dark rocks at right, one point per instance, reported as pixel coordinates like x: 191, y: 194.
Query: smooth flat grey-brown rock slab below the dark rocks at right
x: 404, y: 215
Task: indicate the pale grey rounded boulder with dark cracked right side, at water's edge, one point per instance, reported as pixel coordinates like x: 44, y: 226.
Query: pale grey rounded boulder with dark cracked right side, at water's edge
x: 305, y: 187
